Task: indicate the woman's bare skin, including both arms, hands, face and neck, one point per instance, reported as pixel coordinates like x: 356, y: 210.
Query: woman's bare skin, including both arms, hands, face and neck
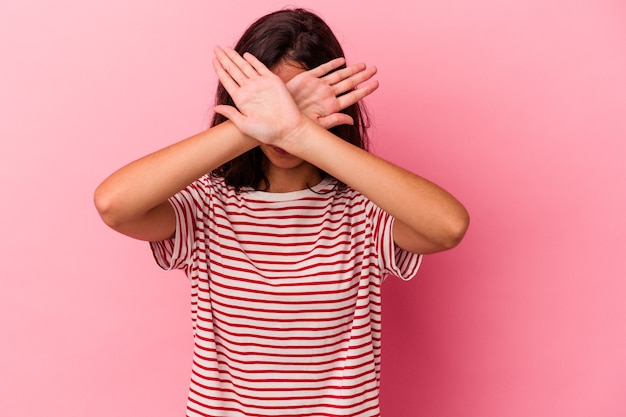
x: 287, y: 113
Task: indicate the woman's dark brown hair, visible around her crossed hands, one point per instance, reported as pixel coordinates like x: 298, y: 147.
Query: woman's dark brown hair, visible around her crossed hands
x: 300, y: 36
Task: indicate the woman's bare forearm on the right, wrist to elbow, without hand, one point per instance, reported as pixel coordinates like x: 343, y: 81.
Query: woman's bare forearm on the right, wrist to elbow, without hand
x: 437, y: 219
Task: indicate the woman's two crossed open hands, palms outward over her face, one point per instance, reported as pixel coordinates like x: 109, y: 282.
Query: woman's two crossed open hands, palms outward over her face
x: 275, y: 113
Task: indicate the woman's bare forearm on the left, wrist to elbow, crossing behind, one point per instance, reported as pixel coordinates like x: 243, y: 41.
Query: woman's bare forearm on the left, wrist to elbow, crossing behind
x: 144, y: 184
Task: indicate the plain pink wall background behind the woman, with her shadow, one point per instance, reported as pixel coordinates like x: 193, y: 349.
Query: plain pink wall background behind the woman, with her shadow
x: 517, y: 107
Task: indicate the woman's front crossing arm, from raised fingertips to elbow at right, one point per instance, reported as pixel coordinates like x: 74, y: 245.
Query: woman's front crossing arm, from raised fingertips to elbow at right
x: 427, y: 217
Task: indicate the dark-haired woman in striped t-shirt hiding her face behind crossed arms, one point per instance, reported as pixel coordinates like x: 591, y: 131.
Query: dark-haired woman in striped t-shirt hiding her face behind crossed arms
x: 285, y: 226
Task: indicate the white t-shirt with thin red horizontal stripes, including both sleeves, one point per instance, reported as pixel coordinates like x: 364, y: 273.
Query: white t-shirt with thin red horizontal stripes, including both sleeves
x: 286, y: 305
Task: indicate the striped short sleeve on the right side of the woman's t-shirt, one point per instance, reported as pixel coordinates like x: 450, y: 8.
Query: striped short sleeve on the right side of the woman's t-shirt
x: 394, y: 260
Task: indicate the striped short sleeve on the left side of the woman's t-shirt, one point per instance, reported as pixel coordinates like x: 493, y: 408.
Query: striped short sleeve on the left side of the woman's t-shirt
x: 176, y: 253
